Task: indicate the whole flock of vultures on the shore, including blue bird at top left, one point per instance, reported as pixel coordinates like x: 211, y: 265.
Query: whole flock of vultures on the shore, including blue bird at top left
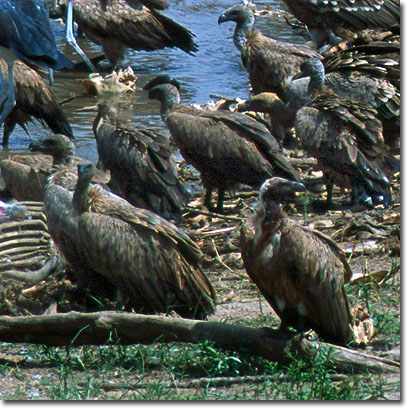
x: 119, y: 224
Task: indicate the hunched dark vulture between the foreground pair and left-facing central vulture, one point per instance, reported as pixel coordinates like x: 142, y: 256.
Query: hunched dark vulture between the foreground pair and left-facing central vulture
x: 141, y: 164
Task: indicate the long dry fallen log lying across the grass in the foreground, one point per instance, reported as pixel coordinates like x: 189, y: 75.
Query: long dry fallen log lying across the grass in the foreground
x: 128, y: 328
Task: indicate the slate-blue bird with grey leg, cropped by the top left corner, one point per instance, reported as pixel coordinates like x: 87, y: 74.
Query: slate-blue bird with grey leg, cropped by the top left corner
x: 25, y: 34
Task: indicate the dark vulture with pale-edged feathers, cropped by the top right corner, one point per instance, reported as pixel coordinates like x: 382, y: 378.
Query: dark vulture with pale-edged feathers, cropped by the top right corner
x: 328, y: 21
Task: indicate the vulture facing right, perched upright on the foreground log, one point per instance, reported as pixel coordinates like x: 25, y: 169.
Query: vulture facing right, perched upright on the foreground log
x: 301, y: 272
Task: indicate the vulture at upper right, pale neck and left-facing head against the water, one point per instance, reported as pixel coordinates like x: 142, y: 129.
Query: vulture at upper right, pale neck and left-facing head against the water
x: 269, y: 62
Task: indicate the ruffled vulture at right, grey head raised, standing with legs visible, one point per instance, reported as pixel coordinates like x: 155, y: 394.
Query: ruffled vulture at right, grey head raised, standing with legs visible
x: 346, y: 138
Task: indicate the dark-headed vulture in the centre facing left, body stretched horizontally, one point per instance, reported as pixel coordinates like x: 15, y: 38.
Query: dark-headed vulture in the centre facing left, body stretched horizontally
x: 227, y: 148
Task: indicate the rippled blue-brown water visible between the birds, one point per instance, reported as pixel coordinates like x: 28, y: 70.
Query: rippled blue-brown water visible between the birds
x: 215, y: 69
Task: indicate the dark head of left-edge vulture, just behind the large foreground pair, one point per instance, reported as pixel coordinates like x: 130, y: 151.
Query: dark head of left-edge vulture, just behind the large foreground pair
x: 60, y: 147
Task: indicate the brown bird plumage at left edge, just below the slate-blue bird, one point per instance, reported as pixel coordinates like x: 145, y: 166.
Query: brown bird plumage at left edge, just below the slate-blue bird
x: 34, y: 98
